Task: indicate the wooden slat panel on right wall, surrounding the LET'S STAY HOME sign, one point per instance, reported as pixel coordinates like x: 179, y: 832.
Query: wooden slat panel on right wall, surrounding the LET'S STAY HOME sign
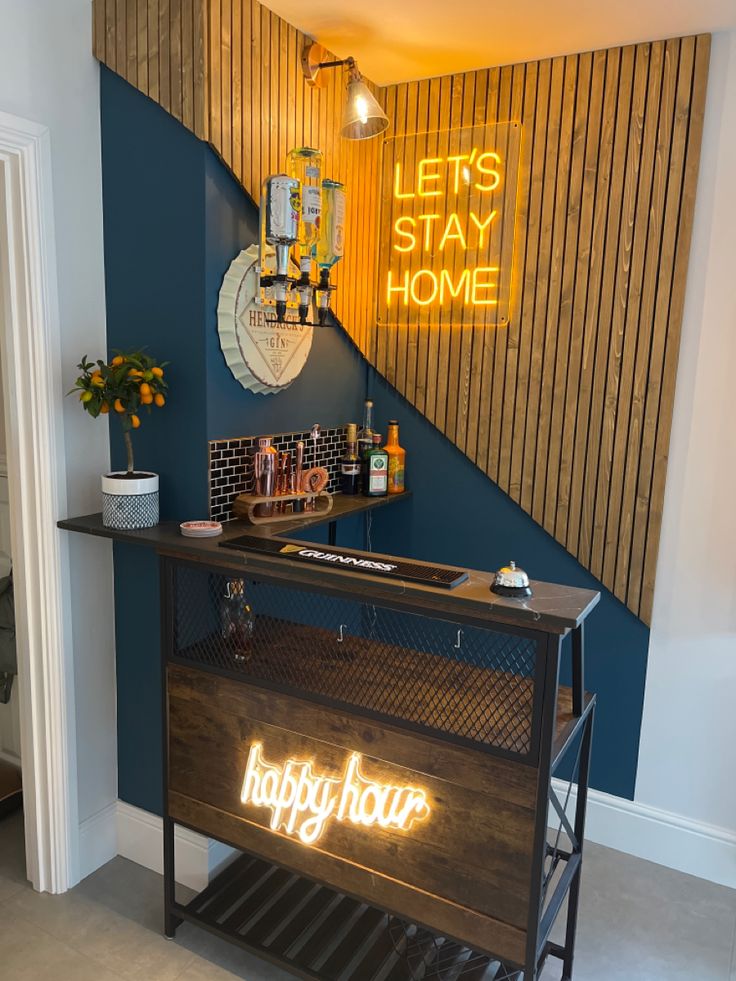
x: 569, y: 408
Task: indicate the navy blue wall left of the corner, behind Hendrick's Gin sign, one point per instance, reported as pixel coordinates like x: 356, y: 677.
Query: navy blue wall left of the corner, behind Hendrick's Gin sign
x: 174, y: 220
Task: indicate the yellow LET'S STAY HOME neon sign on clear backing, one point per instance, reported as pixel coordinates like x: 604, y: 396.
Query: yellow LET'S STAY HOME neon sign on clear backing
x: 447, y: 225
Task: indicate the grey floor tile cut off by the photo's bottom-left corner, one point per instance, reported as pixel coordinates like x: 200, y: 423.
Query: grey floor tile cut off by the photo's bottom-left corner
x: 31, y: 954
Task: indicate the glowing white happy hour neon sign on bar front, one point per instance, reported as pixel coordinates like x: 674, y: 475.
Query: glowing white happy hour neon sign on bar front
x: 303, y: 801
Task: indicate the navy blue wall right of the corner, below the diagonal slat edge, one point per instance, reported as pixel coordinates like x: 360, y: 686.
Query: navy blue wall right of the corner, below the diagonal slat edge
x: 458, y: 516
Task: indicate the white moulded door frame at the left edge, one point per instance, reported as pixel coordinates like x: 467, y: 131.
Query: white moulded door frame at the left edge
x: 31, y: 366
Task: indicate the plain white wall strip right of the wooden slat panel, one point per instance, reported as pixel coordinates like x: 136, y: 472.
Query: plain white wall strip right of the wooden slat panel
x: 689, y: 726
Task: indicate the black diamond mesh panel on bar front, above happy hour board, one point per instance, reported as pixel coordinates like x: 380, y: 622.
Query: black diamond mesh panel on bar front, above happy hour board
x: 467, y: 681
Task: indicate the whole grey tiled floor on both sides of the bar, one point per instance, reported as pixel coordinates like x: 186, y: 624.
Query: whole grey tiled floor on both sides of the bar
x: 638, y: 922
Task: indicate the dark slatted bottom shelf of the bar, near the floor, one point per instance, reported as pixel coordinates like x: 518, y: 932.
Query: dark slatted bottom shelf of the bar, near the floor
x: 320, y: 934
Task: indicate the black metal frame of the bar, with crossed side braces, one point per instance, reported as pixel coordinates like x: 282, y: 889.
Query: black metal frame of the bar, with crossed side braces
x: 541, y: 916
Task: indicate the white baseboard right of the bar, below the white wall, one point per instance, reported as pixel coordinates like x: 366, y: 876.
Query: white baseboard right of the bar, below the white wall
x: 659, y: 836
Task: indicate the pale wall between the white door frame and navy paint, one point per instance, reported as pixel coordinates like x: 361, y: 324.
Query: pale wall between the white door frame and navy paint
x: 48, y: 74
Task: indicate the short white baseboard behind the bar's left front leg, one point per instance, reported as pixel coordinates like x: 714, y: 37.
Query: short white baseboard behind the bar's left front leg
x: 140, y: 838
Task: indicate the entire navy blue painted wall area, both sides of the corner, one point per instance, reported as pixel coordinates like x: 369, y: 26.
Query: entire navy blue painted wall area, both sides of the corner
x: 174, y: 219
